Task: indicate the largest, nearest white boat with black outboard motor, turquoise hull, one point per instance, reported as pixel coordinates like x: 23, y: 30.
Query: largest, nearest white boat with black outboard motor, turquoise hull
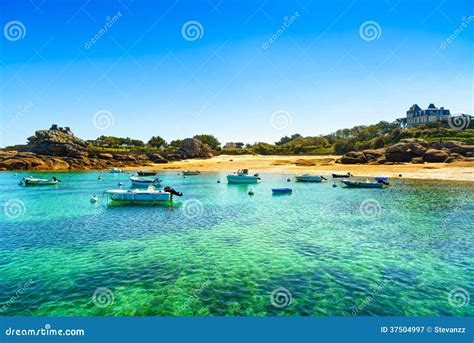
x: 149, y: 195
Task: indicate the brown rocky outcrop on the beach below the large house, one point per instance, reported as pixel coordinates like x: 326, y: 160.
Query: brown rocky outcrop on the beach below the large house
x: 412, y: 150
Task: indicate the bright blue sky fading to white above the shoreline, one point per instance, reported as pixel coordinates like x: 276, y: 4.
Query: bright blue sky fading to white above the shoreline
x: 320, y: 73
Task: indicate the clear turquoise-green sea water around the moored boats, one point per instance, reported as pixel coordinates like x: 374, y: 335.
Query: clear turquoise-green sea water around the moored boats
x: 406, y: 250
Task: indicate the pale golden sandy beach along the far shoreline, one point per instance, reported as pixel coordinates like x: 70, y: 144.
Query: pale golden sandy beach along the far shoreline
x: 324, y: 165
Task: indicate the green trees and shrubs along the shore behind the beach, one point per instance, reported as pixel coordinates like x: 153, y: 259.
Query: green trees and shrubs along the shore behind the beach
x: 360, y: 137
